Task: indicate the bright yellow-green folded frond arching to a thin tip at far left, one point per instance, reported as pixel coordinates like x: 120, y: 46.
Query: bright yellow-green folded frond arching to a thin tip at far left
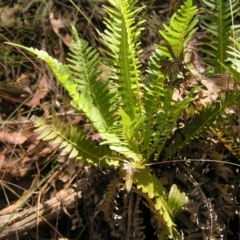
x: 82, y: 101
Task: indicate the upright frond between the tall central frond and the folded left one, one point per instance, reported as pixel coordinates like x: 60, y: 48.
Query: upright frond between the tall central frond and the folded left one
x: 84, y: 62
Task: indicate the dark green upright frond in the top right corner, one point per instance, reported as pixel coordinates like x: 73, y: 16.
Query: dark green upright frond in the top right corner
x: 217, y: 20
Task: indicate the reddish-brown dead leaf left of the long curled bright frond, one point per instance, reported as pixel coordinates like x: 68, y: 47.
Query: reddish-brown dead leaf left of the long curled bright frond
x: 43, y: 88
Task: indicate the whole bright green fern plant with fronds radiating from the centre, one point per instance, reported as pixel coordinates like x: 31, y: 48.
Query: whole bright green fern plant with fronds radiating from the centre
x: 133, y: 112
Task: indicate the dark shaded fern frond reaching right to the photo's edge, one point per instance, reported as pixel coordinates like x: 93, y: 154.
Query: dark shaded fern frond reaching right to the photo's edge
x: 209, y: 117
